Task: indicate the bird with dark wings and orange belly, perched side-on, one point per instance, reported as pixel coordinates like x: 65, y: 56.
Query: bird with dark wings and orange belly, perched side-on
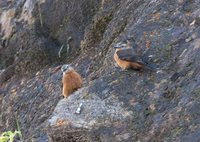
x: 127, y: 58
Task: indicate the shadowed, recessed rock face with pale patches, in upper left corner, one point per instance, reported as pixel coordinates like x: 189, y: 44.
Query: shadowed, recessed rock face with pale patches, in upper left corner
x: 33, y: 31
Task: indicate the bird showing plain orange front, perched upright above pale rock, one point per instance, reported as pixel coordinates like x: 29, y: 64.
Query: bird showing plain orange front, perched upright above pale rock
x: 71, y: 80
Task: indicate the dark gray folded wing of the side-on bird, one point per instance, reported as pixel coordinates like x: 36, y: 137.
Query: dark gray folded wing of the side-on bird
x: 128, y: 55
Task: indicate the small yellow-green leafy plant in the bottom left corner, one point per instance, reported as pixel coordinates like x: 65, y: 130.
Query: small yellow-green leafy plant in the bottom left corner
x: 9, y: 136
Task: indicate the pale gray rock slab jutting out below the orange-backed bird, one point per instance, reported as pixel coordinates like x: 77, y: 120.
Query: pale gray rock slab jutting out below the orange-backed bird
x: 95, y: 113
